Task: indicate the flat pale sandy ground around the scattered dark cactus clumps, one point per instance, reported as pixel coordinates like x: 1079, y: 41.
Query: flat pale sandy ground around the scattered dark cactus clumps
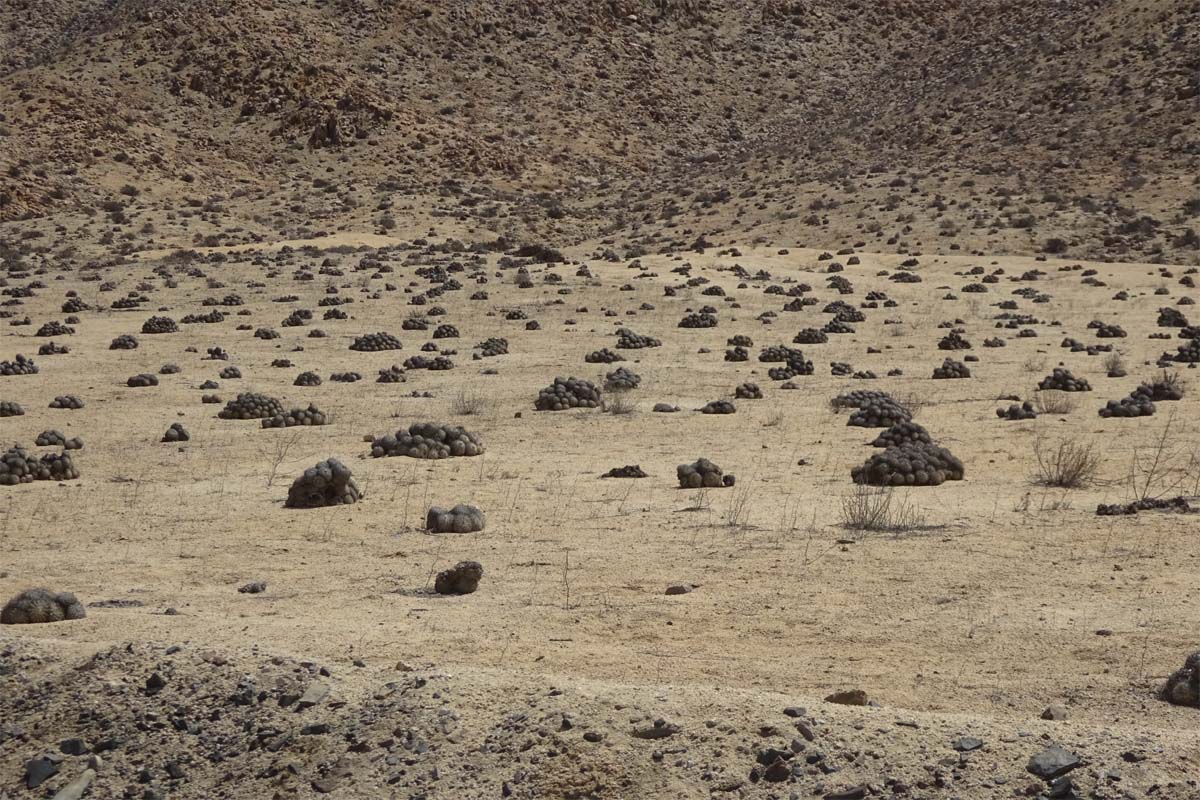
x: 1009, y: 599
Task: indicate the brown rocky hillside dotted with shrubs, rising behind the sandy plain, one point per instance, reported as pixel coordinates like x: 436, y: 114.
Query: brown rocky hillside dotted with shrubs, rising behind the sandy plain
x: 921, y: 125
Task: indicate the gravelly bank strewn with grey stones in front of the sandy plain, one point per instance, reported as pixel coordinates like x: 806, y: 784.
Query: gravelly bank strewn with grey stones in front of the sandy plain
x: 179, y: 721
